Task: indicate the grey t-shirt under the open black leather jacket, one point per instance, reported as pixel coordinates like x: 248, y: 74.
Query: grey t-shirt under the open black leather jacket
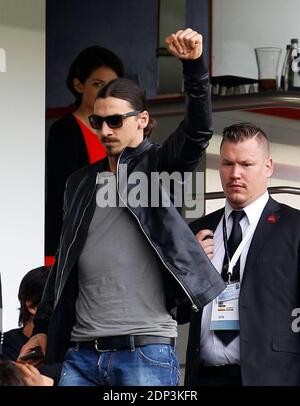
x: 120, y: 284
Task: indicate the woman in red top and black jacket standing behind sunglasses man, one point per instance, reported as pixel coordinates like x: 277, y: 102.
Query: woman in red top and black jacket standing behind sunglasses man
x: 72, y: 142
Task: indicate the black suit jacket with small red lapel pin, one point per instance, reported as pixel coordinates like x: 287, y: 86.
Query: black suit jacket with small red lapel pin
x: 269, y: 349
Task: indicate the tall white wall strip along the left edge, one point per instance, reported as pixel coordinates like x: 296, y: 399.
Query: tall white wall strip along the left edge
x: 22, y: 143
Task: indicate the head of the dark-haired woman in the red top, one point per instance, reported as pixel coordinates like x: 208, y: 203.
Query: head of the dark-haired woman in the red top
x: 93, y: 68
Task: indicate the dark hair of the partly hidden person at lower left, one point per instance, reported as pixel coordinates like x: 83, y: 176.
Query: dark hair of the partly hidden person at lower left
x: 31, y: 288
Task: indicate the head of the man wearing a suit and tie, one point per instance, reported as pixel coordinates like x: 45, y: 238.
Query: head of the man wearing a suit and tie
x: 245, y: 165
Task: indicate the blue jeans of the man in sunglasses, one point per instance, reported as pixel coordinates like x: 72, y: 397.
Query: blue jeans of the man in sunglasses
x: 149, y: 365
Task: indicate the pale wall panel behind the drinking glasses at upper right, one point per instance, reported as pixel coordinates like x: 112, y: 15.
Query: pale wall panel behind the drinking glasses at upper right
x: 239, y: 26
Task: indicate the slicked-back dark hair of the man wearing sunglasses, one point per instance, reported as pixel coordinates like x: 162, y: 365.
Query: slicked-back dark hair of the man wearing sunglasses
x: 128, y: 90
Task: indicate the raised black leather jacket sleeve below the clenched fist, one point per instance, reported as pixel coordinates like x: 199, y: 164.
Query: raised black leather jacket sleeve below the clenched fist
x: 182, y: 151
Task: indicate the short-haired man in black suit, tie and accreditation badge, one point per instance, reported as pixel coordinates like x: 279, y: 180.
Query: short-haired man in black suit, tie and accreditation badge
x: 264, y: 349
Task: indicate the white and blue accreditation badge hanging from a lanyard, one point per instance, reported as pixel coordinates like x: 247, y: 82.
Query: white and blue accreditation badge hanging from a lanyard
x: 225, y: 309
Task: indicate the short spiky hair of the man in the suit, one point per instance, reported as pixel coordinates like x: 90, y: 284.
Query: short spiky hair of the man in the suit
x: 244, y: 131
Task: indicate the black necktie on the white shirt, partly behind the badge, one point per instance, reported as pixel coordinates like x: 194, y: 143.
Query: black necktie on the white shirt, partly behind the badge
x: 226, y: 336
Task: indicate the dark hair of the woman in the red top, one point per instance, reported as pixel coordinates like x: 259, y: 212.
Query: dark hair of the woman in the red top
x: 89, y: 60
